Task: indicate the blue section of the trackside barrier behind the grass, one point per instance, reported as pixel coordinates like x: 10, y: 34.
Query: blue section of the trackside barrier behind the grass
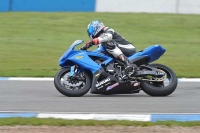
x: 48, y: 5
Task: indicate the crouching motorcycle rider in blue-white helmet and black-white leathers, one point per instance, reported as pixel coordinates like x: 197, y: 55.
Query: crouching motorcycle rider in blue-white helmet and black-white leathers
x: 113, y: 42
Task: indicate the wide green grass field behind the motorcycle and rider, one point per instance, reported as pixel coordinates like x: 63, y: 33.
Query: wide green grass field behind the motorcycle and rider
x: 32, y: 43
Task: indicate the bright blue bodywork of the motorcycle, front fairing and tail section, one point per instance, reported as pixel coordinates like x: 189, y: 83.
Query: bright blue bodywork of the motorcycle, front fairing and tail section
x: 83, y: 58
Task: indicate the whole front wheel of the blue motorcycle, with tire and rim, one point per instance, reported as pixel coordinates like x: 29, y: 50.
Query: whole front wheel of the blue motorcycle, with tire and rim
x: 71, y: 87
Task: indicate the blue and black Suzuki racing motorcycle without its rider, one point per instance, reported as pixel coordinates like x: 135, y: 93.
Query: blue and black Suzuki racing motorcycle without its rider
x: 97, y: 71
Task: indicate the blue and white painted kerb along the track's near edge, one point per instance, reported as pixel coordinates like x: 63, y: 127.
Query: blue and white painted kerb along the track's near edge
x: 87, y: 116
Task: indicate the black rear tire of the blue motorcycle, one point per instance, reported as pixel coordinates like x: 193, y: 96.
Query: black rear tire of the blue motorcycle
x: 158, y: 88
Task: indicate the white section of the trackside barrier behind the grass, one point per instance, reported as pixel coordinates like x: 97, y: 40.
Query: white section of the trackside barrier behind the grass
x: 149, y: 6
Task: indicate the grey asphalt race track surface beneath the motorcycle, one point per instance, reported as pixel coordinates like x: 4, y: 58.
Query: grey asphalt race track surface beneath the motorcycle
x: 41, y: 96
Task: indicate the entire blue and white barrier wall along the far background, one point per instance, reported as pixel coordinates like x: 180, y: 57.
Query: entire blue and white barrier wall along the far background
x: 141, y: 6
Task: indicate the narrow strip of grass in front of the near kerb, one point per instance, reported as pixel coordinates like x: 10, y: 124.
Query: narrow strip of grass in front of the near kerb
x: 62, y: 122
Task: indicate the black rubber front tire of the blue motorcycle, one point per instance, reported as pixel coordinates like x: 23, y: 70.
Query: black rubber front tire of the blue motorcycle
x: 66, y: 89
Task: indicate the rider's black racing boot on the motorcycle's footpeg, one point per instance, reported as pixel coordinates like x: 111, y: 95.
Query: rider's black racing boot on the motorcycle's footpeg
x: 128, y: 66
